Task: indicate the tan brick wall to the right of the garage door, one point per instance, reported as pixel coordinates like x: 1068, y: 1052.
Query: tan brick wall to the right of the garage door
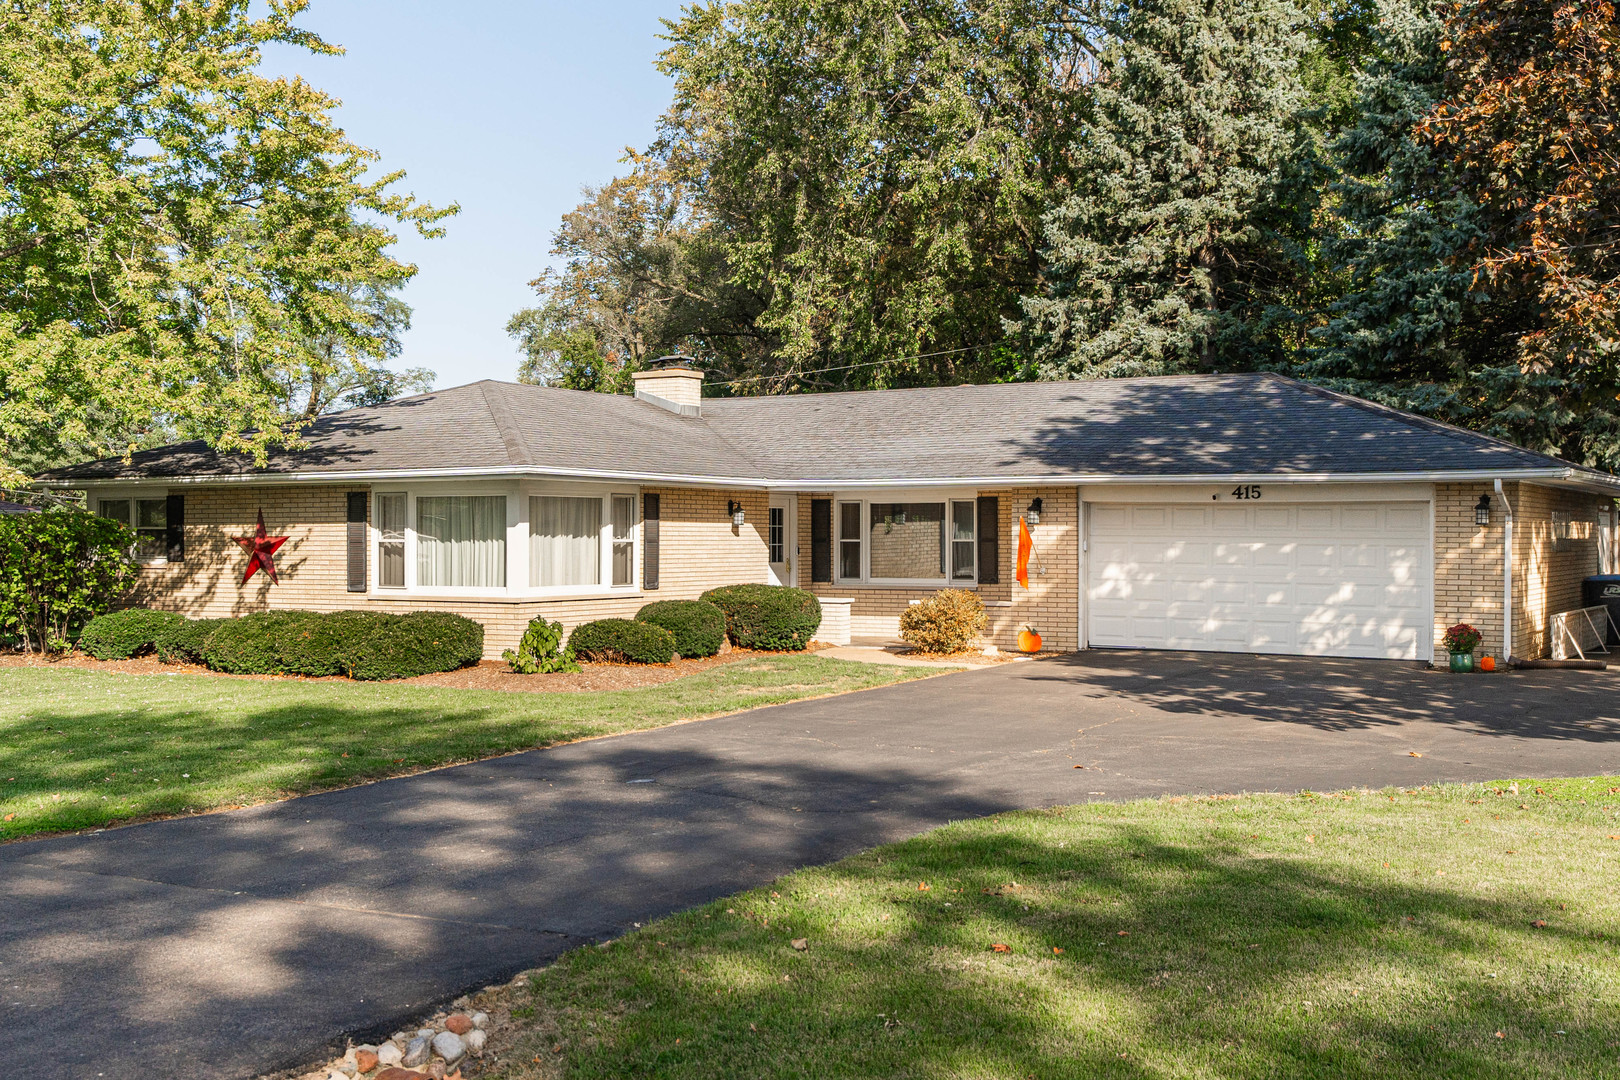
x: 1546, y: 574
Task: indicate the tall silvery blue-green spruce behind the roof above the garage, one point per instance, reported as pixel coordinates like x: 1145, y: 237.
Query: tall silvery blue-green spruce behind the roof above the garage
x: 1172, y: 250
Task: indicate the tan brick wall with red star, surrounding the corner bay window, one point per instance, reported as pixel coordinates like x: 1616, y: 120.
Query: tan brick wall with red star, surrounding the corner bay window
x: 699, y: 550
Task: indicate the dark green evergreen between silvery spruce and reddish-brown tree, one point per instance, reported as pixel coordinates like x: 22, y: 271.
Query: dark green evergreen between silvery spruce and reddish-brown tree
x: 1418, y: 326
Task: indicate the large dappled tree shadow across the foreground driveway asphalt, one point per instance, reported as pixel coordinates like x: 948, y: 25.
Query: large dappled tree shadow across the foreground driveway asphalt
x: 229, y: 945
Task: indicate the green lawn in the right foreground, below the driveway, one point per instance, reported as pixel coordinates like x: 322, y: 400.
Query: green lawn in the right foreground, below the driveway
x: 1337, y: 937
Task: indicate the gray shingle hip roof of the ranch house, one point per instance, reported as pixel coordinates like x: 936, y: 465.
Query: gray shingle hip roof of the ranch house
x: 1149, y: 428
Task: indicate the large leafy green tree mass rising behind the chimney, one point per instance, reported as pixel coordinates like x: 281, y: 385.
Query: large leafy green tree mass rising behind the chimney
x: 837, y: 185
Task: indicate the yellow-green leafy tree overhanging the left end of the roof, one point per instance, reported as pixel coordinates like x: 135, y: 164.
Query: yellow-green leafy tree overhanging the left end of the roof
x: 176, y: 229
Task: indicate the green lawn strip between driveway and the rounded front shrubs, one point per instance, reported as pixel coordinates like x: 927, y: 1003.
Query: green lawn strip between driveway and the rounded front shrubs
x: 87, y: 749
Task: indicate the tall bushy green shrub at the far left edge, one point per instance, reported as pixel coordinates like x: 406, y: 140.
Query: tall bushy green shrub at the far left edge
x: 61, y: 569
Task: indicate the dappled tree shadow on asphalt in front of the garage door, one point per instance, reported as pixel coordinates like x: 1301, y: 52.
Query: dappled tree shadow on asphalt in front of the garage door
x: 1341, y: 695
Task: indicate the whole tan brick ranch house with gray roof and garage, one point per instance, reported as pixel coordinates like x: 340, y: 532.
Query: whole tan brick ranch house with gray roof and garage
x: 1209, y: 512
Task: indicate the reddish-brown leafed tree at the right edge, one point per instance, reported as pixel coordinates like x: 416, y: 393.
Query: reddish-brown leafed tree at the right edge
x: 1530, y: 135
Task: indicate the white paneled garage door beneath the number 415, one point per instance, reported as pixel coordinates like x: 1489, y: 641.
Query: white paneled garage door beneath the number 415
x: 1345, y: 579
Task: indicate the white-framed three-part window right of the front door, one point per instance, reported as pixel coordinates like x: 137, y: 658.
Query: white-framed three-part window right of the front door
x: 918, y: 543
